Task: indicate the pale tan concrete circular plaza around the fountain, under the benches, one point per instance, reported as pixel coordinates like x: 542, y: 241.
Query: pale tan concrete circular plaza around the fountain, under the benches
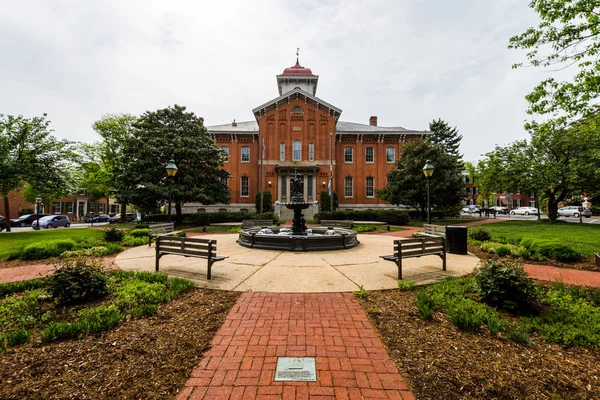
x: 305, y: 272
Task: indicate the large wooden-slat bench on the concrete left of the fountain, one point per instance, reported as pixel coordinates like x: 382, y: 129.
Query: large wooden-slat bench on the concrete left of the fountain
x: 188, y: 247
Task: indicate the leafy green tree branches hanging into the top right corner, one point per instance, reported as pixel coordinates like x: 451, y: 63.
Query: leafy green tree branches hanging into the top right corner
x: 566, y: 36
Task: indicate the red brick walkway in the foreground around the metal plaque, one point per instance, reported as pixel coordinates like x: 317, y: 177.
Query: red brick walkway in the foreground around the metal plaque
x: 352, y: 363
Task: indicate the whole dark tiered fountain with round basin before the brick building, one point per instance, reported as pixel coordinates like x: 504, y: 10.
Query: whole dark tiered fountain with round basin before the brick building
x: 299, y: 237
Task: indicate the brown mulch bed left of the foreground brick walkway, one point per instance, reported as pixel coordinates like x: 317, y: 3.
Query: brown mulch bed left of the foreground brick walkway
x: 149, y: 358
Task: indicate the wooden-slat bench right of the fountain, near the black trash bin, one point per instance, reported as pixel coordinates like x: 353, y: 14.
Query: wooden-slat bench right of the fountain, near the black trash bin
x: 424, y: 246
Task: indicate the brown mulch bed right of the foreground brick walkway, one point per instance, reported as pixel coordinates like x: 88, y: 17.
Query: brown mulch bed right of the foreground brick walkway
x: 441, y: 362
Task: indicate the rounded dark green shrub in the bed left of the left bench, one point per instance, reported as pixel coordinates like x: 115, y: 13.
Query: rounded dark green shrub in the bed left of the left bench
x: 77, y: 280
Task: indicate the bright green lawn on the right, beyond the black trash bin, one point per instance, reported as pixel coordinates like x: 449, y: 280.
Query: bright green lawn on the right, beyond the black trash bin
x: 584, y: 238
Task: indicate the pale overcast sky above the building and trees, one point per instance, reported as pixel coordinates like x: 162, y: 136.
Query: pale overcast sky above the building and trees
x: 406, y: 61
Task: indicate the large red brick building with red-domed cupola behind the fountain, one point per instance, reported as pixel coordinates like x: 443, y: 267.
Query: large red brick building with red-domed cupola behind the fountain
x: 297, y: 131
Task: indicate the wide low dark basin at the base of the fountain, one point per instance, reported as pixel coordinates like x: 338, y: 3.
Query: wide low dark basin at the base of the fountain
x: 317, y: 241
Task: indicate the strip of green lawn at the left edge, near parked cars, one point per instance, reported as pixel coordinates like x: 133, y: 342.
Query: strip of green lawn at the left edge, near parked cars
x: 14, y: 240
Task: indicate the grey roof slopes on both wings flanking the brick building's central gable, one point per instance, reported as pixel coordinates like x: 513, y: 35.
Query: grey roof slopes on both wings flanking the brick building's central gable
x: 342, y: 127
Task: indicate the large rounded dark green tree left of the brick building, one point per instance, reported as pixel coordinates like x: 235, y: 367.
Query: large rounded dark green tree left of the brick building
x: 157, y: 137
